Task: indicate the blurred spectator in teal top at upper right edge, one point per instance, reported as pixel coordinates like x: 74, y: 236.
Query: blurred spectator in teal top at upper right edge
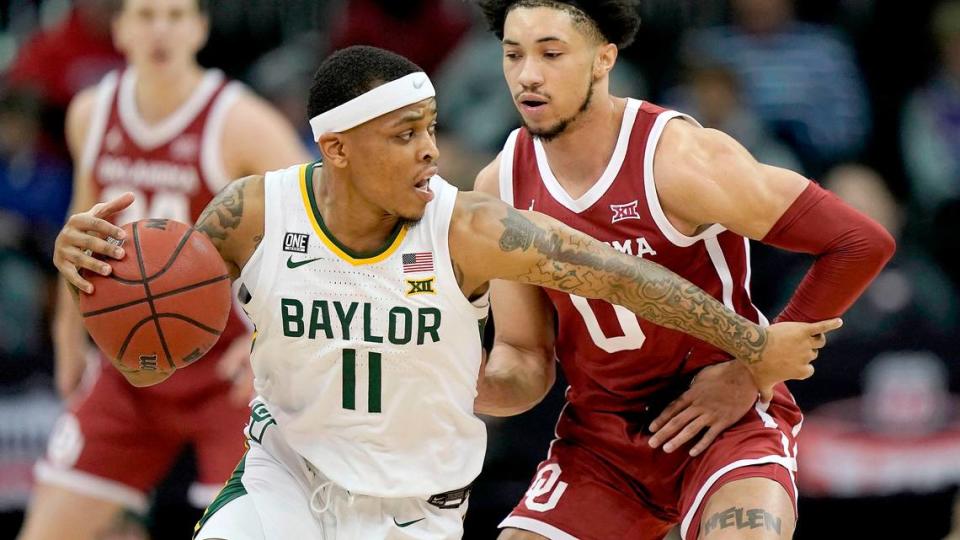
x: 931, y: 120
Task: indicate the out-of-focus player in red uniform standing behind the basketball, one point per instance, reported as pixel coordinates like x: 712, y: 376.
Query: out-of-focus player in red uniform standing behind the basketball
x: 173, y: 134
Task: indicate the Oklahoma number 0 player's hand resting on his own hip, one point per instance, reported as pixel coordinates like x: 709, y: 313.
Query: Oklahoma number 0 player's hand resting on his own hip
x: 718, y: 397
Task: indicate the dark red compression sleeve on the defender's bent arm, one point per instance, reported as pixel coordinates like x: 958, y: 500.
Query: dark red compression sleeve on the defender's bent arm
x: 851, y: 250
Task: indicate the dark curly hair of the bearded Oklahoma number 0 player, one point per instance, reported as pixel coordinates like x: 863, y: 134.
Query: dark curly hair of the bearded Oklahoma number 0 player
x: 616, y: 21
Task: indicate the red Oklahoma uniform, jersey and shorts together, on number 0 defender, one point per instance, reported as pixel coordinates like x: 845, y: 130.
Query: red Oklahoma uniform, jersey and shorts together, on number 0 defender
x: 622, y: 371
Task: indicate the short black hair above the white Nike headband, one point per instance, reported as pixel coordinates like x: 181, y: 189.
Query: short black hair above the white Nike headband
x: 352, y: 72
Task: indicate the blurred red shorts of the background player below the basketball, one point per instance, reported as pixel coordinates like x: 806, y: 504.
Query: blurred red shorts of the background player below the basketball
x: 117, y: 442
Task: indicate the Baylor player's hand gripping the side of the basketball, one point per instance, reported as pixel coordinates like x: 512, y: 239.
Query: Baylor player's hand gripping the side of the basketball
x: 83, y: 236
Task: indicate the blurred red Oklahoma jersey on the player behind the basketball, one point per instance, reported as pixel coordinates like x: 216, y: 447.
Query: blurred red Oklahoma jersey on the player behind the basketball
x: 174, y: 168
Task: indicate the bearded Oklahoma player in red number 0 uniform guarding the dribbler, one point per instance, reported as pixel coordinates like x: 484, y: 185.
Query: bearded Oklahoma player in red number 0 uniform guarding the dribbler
x: 654, y: 184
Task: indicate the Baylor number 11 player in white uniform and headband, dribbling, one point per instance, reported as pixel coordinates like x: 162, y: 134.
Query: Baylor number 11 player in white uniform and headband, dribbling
x: 366, y: 279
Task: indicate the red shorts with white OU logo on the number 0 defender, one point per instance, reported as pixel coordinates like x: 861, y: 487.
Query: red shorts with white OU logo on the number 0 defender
x: 599, y: 490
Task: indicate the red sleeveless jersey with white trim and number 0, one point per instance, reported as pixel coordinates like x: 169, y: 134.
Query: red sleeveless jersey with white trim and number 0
x: 613, y: 360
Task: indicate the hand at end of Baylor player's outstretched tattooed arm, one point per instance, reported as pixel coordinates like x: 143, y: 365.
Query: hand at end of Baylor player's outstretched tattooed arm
x: 789, y: 353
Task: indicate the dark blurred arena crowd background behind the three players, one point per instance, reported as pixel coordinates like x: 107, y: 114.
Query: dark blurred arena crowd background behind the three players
x: 862, y: 95
